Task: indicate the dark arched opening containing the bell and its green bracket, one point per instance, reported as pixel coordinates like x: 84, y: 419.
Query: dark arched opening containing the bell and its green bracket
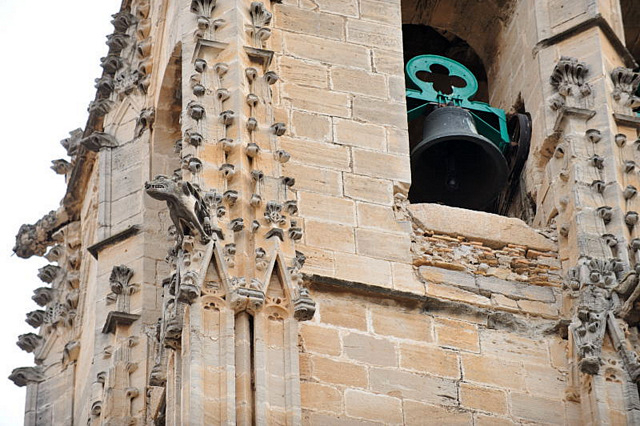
x: 464, y: 152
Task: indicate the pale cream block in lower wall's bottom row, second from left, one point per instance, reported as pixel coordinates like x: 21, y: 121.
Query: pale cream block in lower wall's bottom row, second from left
x: 370, y: 406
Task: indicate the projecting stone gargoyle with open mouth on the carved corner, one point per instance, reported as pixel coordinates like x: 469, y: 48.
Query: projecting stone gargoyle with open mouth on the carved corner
x: 188, y: 211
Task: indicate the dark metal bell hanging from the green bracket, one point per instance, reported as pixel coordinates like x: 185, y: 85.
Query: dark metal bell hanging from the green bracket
x: 454, y: 165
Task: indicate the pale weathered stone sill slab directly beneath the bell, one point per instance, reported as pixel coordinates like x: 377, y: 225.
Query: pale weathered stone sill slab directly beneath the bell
x: 493, y: 230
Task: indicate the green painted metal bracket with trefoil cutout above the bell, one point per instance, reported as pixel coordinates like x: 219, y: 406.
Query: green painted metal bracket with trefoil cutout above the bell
x: 491, y: 122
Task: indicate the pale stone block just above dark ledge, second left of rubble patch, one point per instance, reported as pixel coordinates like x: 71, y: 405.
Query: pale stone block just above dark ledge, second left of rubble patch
x: 363, y: 269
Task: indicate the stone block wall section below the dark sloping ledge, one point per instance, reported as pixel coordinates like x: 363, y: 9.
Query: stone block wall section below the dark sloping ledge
x: 372, y: 360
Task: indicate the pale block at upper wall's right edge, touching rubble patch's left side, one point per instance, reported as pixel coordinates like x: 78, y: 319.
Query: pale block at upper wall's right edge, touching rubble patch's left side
x: 383, y: 245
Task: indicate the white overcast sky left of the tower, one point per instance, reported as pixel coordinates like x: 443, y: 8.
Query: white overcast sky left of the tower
x: 49, y: 58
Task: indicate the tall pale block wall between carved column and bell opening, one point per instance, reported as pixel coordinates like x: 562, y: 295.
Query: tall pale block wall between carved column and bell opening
x: 342, y: 87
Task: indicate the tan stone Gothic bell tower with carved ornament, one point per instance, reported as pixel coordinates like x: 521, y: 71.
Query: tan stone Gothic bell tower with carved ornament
x: 238, y: 243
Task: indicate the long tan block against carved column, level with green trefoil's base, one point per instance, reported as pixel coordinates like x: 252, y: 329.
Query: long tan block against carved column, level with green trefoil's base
x: 316, y: 100
